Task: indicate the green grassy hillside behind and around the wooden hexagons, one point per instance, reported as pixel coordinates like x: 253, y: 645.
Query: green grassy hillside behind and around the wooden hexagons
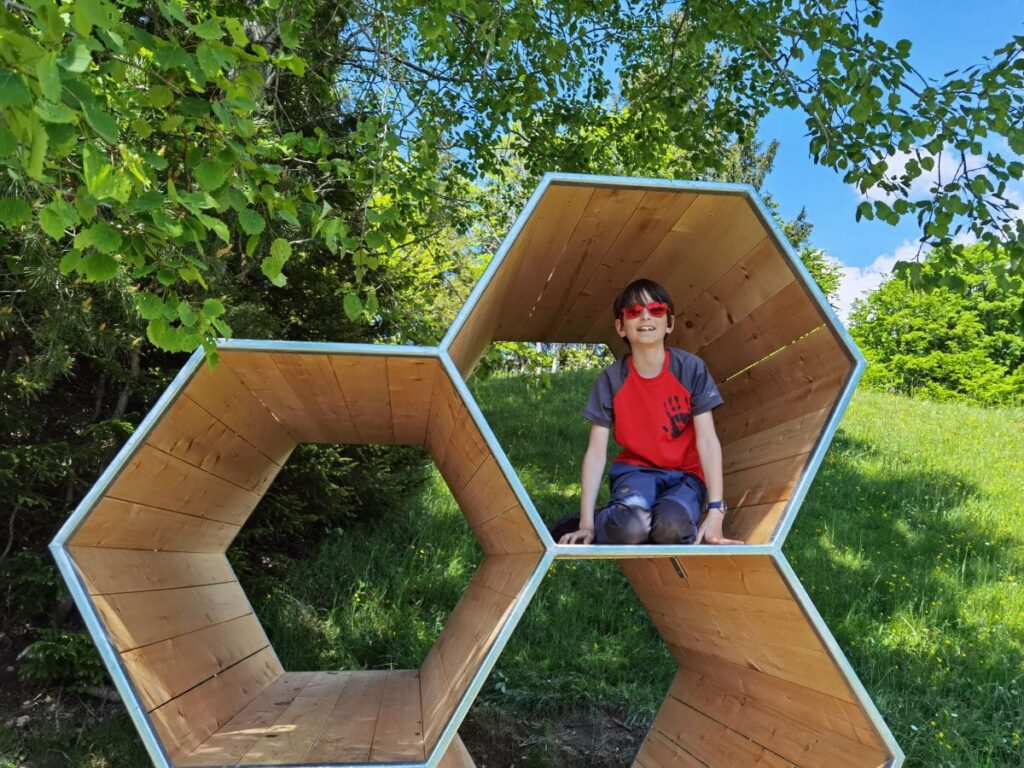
x: 911, y: 543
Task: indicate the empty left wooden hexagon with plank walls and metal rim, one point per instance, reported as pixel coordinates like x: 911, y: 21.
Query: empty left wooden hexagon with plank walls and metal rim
x: 177, y: 628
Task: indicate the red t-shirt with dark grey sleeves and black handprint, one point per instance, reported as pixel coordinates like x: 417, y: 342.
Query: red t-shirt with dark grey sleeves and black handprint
x: 653, y: 419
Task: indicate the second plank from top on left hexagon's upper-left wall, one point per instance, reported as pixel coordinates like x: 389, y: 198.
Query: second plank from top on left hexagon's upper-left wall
x: 189, y: 433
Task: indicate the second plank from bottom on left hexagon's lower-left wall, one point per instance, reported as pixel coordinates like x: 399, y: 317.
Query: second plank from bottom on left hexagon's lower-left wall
x: 164, y: 670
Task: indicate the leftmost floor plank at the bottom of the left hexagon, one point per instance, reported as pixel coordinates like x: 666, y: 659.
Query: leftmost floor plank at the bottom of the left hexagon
x: 238, y: 736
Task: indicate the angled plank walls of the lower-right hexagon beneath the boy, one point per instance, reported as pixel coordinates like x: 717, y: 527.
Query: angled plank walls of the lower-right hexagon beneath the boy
x: 761, y: 681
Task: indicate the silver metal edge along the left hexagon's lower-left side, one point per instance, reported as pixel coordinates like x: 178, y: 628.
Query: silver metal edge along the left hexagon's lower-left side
x: 111, y: 658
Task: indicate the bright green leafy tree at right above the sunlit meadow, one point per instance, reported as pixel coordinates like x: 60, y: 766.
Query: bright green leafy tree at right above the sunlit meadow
x: 946, y: 345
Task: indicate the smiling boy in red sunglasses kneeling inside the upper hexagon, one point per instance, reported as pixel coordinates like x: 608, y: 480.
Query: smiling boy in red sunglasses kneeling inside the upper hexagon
x: 659, y: 401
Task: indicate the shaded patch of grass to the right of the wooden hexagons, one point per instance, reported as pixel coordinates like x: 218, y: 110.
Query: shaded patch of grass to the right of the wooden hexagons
x: 905, y: 579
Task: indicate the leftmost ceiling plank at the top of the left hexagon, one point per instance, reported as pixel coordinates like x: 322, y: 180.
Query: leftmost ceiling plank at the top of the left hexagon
x: 261, y: 374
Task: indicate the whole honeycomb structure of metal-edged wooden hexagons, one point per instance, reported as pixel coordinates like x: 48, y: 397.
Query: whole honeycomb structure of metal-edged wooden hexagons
x: 760, y: 681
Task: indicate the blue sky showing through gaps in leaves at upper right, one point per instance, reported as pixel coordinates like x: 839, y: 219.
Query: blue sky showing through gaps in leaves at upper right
x: 947, y: 35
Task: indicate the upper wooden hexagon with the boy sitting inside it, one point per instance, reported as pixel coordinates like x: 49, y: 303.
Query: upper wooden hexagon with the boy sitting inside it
x: 745, y: 305
